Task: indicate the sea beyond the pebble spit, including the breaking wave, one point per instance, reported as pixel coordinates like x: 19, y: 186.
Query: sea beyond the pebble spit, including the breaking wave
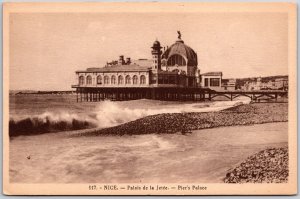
x: 54, y: 113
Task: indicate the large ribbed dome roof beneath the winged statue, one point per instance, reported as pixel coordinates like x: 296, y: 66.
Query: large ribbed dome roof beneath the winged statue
x: 180, y: 48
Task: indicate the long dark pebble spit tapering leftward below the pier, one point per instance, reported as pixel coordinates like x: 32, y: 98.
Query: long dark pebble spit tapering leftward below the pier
x: 247, y: 114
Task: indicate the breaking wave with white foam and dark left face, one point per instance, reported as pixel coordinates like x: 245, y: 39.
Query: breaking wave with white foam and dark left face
x: 106, y: 114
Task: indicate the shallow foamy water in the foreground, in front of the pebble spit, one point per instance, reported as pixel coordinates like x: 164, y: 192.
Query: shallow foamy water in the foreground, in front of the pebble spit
x: 201, y: 157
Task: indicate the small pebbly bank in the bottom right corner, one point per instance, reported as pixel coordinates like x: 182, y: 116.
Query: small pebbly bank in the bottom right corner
x: 267, y: 166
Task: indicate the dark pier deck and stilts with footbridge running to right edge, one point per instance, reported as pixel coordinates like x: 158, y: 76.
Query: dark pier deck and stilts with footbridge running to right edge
x: 94, y: 94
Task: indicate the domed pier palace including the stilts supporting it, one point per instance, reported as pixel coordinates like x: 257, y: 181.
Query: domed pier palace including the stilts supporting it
x: 171, y: 71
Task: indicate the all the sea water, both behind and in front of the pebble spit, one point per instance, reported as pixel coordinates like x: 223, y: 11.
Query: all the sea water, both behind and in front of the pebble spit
x: 51, y: 155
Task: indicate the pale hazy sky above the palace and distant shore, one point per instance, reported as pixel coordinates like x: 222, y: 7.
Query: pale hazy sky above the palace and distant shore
x: 46, y: 49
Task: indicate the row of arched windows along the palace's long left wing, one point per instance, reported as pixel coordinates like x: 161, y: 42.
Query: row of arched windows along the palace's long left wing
x: 114, y: 80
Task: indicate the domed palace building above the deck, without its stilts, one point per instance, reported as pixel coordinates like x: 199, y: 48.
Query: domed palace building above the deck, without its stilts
x: 174, y: 66
